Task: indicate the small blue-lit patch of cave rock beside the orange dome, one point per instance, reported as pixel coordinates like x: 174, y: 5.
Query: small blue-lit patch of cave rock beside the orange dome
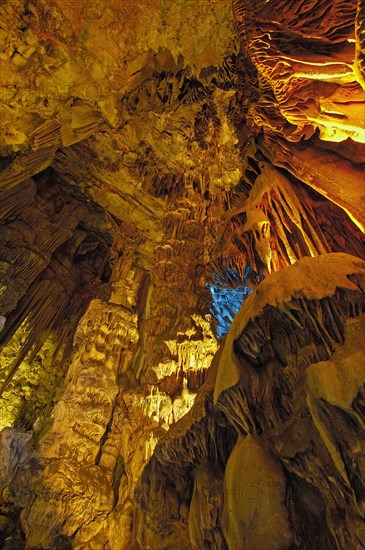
x: 228, y: 294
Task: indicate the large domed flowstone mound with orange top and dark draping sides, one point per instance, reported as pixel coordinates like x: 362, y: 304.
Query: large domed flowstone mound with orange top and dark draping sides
x: 294, y: 403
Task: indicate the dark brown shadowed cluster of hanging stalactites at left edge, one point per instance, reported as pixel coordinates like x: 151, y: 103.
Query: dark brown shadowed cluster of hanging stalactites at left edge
x: 52, y: 263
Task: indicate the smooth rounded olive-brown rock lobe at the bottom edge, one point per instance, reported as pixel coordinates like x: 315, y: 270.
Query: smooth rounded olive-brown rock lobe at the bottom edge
x: 255, y: 512
